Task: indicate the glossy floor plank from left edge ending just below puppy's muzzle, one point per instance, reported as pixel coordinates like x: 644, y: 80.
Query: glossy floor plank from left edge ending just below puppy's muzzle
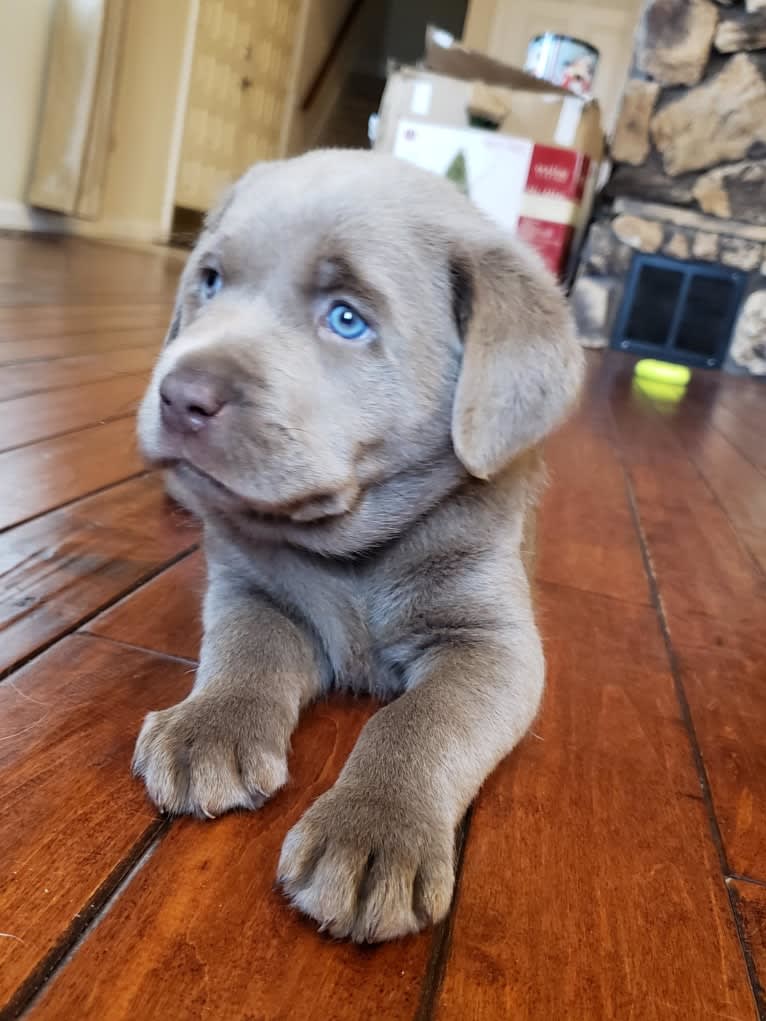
x: 60, y: 570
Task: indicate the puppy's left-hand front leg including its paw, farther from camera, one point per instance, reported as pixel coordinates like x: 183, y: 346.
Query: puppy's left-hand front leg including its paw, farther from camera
x: 225, y: 747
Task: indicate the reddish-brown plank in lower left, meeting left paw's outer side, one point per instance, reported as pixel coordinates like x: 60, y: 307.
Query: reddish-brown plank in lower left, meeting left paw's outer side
x: 73, y: 818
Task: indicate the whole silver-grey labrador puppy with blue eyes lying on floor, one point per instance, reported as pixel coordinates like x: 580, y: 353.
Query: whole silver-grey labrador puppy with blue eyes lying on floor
x: 352, y: 395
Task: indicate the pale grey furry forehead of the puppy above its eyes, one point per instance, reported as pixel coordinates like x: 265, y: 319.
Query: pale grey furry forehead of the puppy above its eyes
x: 331, y: 216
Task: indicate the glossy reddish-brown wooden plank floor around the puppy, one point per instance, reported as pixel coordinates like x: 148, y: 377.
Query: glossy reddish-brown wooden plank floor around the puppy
x: 613, y: 867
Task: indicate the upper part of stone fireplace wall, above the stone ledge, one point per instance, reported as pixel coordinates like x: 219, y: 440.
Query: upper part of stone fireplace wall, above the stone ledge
x: 692, y: 131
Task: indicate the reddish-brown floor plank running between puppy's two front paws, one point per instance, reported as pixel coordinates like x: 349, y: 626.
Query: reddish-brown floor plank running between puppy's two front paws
x: 201, y: 931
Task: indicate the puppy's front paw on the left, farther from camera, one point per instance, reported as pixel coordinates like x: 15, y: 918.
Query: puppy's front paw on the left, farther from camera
x: 206, y: 756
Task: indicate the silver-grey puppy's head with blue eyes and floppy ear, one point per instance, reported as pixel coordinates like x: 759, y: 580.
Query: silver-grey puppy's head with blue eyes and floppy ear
x: 351, y: 338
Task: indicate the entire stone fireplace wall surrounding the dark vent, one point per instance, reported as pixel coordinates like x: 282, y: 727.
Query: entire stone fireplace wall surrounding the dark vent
x: 690, y: 166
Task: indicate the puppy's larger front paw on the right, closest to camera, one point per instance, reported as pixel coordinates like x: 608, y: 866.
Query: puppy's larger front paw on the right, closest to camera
x: 369, y: 871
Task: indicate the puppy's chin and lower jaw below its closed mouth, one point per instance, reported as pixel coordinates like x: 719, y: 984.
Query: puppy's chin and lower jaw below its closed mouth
x: 203, y: 494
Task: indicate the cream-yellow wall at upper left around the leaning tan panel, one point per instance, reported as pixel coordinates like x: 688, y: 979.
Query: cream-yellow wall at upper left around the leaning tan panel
x: 147, y: 122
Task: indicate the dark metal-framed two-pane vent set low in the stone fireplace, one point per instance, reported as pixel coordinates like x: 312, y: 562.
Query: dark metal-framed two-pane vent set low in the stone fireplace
x: 683, y: 312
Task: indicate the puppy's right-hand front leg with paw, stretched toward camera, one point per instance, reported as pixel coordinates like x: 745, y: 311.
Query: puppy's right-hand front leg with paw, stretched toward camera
x: 374, y: 858
